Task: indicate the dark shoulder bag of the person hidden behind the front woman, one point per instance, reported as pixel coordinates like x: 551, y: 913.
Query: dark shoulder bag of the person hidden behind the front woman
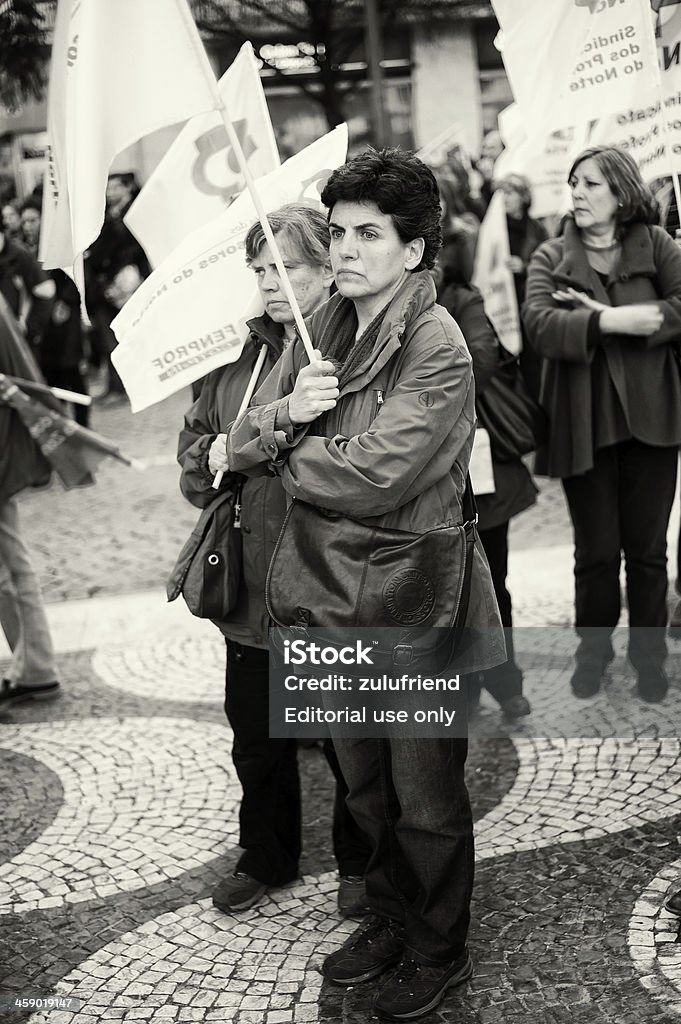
x: 516, y: 422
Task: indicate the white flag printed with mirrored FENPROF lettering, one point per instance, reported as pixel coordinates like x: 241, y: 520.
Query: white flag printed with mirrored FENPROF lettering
x: 189, y: 317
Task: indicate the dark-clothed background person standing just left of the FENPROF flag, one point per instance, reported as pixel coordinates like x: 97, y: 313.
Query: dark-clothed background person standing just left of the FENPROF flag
x: 115, y: 267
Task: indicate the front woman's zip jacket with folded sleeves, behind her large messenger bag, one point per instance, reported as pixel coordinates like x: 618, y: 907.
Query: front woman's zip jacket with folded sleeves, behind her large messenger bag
x: 395, y: 451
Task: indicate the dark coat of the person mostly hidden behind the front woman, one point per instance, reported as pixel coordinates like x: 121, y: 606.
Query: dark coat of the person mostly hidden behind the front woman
x: 515, y: 490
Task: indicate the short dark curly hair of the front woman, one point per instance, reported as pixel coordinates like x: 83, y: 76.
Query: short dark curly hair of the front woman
x: 402, y: 187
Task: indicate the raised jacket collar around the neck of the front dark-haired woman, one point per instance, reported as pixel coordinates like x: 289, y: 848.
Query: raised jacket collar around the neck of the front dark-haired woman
x: 413, y: 298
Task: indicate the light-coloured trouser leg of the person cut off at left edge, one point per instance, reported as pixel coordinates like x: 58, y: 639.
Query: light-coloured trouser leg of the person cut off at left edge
x: 22, y: 611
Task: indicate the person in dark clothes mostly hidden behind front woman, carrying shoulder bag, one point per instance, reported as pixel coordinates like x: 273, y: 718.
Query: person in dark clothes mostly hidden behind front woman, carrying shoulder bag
x: 515, y: 492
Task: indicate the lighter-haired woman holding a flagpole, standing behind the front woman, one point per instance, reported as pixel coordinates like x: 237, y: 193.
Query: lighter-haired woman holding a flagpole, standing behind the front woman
x: 268, y: 769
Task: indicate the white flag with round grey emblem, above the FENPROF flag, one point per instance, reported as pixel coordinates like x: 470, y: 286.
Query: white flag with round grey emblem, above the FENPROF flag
x: 199, y: 176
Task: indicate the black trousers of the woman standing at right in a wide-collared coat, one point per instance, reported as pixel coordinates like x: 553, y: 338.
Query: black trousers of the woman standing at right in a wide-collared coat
x: 623, y: 505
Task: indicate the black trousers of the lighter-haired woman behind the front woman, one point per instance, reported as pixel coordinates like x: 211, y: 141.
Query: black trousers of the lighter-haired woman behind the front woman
x: 270, y: 818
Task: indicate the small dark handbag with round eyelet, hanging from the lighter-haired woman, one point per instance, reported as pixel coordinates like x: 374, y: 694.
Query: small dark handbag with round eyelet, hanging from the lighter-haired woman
x: 207, y: 573
